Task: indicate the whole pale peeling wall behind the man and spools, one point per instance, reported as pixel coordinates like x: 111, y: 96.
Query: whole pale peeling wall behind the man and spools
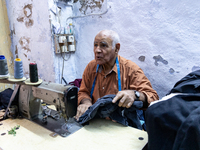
x: 164, y: 32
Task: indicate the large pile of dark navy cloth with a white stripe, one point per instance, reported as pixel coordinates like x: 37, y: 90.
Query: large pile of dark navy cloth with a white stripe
x: 173, y: 122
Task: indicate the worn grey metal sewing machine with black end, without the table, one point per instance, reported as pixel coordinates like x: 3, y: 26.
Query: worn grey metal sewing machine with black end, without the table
x: 35, y: 104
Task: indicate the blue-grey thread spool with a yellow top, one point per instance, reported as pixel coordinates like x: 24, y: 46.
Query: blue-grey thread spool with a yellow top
x: 18, y: 69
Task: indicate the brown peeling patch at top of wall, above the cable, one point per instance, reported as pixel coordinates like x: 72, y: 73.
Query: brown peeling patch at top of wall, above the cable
x: 92, y: 4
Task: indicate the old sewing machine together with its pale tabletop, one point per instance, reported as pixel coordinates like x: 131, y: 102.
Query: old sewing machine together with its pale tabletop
x: 102, y: 133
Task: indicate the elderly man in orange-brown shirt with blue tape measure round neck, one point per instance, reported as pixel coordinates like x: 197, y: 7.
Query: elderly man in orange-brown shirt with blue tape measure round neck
x: 110, y: 73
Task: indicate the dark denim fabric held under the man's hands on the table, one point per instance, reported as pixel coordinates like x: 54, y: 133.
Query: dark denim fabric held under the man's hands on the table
x: 105, y: 108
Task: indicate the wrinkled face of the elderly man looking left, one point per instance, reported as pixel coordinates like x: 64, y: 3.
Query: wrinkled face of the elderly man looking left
x: 104, y: 53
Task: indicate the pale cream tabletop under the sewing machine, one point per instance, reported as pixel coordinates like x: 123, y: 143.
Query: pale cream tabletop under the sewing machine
x: 100, y: 134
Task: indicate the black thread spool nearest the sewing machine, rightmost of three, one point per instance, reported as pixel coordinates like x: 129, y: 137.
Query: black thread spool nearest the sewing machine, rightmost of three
x: 33, y: 72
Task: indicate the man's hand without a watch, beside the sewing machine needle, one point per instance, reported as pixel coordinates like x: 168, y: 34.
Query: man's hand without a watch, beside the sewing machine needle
x: 82, y: 108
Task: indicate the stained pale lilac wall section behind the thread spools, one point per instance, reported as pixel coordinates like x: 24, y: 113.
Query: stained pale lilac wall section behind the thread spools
x: 31, y: 36
